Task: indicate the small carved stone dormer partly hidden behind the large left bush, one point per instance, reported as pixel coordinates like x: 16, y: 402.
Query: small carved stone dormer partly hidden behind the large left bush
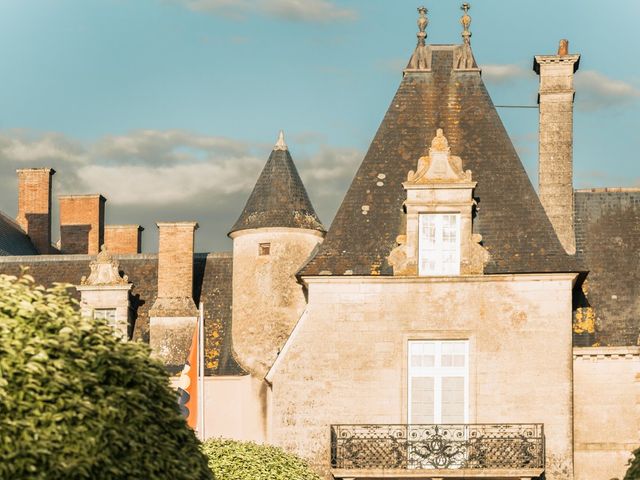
x: 105, y: 294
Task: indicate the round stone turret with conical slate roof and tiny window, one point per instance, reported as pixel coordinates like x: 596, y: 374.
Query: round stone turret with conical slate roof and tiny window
x: 274, y: 236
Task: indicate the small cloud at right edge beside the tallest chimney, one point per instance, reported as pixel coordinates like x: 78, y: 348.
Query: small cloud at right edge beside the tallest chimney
x: 595, y: 91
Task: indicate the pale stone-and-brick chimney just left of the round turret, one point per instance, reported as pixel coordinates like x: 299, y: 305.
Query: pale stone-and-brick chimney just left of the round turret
x: 173, y: 316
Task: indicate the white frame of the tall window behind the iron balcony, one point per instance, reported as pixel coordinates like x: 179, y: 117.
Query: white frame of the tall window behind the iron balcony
x: 437, y: 372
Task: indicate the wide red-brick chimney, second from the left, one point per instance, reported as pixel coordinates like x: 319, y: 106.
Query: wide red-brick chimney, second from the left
x: 81, y: 223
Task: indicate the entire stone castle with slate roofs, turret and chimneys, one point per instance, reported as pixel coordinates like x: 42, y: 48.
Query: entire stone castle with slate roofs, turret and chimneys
x: 450, y: 323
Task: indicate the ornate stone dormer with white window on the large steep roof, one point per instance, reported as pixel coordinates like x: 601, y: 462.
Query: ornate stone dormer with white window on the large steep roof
x: 438, y: 210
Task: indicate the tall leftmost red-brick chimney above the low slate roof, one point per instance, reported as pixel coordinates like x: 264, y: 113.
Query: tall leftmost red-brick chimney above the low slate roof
x: 34, y: 205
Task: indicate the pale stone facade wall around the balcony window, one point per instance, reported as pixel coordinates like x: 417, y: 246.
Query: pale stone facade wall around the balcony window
x: 347, y: 363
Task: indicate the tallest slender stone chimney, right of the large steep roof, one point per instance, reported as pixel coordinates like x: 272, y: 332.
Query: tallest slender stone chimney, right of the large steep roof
x: 555, y: 161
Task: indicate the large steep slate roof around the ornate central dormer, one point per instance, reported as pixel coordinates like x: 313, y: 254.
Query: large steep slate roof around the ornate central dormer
x: 510, y: 217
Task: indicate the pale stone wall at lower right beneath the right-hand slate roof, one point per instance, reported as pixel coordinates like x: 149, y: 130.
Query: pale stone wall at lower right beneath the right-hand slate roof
x: 606, y: 410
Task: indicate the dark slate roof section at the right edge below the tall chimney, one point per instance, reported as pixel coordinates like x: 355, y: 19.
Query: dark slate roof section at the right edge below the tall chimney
x: 607, y: 225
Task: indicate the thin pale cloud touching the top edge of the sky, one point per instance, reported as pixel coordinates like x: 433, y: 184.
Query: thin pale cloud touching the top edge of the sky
x: 315, y: 11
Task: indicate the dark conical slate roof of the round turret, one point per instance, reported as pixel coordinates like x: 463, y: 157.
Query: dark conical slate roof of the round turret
x: 279, y: 198
